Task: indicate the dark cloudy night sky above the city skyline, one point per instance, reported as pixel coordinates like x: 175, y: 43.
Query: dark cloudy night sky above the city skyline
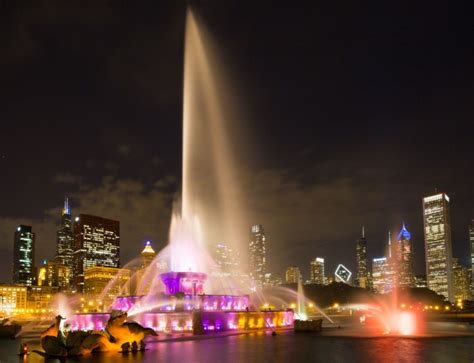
x: 352, y: 113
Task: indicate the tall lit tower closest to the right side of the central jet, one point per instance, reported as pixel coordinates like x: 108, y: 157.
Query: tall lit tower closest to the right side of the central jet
x: 257, y: 254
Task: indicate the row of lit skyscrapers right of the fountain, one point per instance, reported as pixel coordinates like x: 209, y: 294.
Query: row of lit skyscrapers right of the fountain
x: 395, y: 269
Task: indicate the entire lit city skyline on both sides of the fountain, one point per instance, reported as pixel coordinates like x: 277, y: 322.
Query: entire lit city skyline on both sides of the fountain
x: 87, y: 262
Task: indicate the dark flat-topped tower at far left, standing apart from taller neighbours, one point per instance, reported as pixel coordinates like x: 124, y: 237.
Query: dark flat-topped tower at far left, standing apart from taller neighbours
x: 24, y: 256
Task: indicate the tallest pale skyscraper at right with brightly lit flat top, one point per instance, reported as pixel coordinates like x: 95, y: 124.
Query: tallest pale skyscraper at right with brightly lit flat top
x: 437, y: 230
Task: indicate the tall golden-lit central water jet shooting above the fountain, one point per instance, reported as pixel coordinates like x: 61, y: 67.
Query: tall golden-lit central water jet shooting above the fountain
x: 209, y: 190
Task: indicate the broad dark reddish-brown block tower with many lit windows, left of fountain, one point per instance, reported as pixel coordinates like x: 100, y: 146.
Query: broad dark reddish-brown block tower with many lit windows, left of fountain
x: 96, y: 243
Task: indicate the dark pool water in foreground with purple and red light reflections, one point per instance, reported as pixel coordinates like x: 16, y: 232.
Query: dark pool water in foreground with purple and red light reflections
x: 285, y: 347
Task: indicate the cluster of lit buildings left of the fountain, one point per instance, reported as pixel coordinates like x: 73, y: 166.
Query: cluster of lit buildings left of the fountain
x: 87, y: 259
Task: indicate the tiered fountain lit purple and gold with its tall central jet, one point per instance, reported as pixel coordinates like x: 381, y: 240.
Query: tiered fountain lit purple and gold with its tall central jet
x: 177, y: 300
